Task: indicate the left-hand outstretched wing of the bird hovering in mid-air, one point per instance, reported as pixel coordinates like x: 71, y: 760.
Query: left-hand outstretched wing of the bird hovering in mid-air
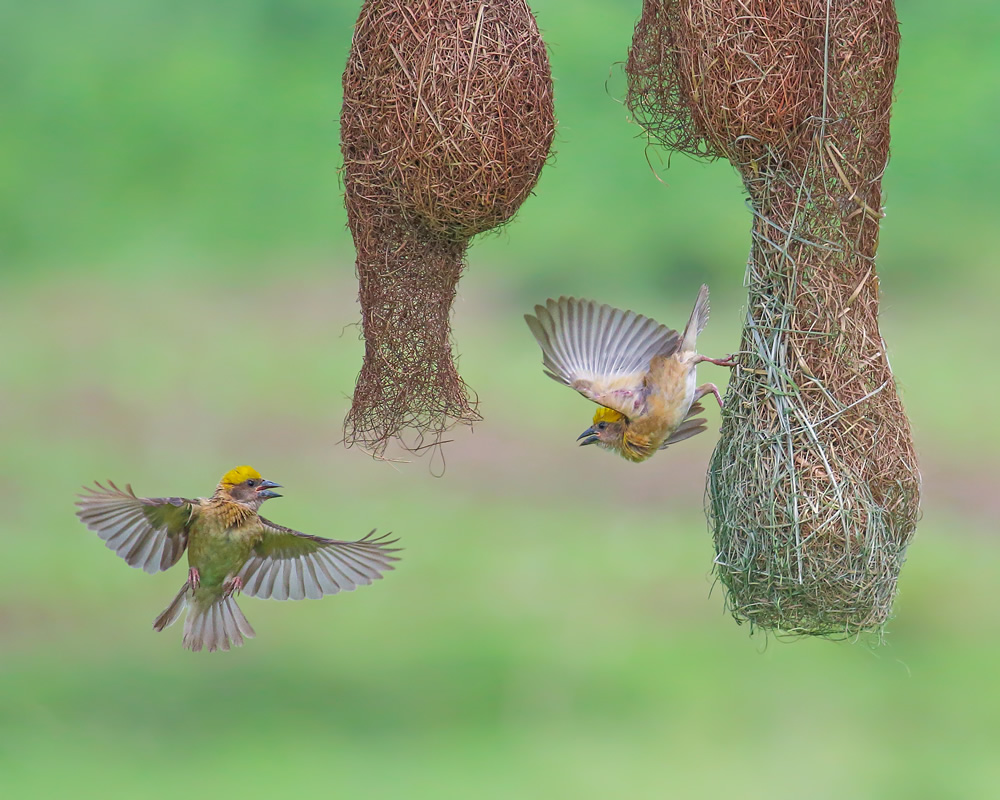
x: 148, y: 532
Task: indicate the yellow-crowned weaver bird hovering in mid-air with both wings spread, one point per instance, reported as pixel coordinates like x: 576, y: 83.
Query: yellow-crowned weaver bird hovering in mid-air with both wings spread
x: 230, y: 548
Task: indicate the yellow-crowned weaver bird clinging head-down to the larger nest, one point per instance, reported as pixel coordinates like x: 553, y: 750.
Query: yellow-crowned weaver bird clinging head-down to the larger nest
x: 640, y: 372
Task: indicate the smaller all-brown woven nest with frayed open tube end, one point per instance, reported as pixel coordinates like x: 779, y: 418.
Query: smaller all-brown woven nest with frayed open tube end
x: 446, y: 124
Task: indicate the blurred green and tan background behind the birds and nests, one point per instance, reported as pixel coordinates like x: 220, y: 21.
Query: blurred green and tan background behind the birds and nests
x: 176, y: 297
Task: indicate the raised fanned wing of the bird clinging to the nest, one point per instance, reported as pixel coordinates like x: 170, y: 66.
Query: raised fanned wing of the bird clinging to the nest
x: 600, y: 351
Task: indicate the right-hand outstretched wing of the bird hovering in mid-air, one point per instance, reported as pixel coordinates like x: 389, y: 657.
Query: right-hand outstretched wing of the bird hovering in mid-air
x: 288, y: 565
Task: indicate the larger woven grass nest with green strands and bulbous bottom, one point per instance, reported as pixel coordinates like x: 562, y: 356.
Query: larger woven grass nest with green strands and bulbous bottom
x: 813, y: 492
